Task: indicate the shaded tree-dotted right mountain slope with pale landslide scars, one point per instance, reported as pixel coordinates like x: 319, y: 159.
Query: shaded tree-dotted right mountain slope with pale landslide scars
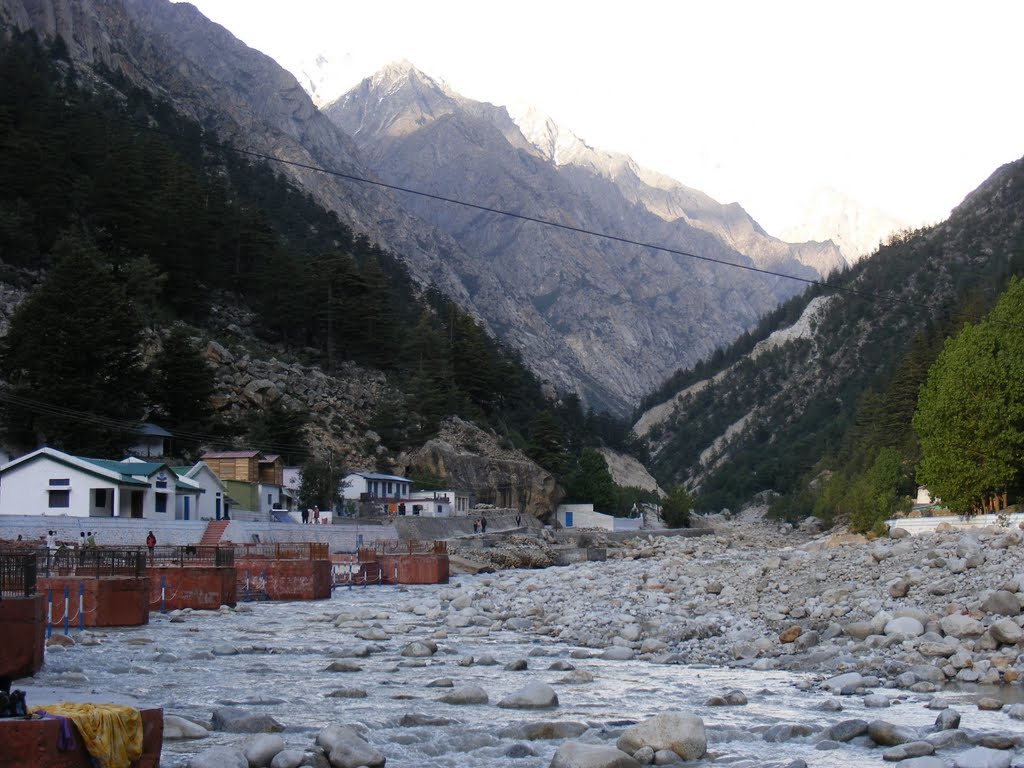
x: 763, y: 413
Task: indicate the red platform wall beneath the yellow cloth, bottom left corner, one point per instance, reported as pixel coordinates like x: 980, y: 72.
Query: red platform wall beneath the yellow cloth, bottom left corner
x: 34, y: 743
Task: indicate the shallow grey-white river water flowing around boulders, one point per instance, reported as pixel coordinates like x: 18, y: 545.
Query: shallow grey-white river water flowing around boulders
x: 284, y: 650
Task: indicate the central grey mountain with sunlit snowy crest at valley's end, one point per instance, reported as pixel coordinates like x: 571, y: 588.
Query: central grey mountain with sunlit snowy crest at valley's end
x: 613, y: 318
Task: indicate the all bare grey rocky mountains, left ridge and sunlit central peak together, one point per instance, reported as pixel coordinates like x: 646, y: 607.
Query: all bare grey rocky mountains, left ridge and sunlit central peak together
x: 587, y: 315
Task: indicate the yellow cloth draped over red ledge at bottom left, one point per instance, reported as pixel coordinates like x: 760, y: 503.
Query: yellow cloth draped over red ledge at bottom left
x: 113, y: 734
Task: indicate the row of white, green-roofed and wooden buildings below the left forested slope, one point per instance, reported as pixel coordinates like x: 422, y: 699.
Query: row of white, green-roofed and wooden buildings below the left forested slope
x: 224, y: 485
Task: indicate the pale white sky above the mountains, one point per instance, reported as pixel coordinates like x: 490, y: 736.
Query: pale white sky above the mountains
x: 904, y: 106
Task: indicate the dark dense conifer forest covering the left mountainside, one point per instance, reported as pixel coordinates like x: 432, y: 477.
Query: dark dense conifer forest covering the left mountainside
x: 122, y: 217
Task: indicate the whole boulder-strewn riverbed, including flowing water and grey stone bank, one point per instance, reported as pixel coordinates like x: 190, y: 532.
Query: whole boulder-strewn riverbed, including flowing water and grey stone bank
x: 750, y: 648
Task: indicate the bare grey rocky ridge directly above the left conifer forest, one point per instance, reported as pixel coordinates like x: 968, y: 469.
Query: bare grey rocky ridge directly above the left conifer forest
x: 242, y: 98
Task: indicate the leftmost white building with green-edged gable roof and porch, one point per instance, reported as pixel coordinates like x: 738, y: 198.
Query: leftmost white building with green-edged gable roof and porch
x: 52, y: 483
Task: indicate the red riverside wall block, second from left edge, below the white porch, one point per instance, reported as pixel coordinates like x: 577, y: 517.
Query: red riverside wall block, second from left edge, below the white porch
x: 112, y: 602
